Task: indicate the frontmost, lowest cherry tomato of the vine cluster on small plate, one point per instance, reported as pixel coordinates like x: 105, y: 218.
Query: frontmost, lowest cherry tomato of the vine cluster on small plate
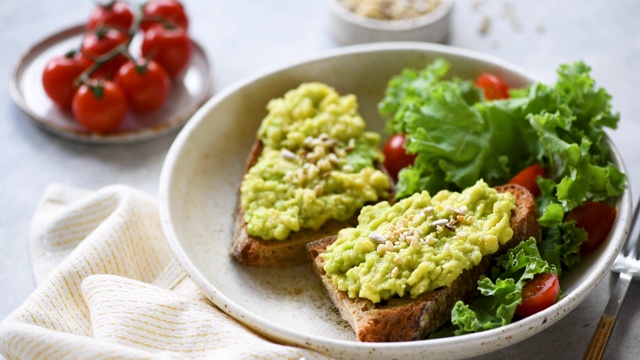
x: 100, y: 107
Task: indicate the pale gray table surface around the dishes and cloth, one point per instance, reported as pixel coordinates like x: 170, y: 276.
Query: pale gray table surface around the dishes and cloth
x: 243, y: 37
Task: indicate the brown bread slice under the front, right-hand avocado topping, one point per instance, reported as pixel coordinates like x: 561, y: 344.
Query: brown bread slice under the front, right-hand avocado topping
x: 406, y: 319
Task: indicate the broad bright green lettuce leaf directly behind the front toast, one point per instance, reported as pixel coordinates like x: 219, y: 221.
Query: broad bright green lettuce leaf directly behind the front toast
x: 457, y: 143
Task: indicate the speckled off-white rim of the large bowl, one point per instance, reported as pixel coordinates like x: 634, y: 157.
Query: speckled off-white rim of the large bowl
x: 481, y: 343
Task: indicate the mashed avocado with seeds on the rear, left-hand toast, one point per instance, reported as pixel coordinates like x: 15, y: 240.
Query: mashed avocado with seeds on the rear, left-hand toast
x: 317, y: 164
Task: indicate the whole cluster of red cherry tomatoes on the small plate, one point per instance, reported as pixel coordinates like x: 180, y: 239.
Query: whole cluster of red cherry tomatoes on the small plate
x: 100, y: 82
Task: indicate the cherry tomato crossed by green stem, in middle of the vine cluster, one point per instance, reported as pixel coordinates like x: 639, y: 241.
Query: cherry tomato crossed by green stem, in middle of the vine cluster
x: 99, y: 43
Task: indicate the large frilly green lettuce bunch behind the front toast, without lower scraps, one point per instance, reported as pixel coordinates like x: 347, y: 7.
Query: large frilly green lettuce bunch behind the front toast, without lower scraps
x: 459, y: 138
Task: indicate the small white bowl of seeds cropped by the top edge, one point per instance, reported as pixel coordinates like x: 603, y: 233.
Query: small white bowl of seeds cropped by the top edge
x: 349, y: 28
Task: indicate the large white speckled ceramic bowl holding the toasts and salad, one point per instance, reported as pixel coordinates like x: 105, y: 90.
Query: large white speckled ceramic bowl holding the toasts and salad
x: 198, y: 195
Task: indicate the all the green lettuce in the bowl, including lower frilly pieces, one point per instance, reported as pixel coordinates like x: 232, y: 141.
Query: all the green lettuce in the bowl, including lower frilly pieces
x: 460, y: 137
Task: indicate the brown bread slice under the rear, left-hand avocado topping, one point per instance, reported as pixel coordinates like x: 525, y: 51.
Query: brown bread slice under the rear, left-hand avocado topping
x: 254, y: 251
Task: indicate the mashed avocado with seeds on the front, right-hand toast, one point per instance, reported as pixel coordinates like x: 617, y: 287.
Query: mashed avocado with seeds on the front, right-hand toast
x: 420, y: 243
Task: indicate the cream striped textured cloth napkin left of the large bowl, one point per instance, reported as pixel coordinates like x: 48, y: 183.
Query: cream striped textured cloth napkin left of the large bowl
x: 109, y: 287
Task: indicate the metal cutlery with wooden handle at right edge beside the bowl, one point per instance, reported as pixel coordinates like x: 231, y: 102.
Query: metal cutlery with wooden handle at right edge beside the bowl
x: 628, y: 267
